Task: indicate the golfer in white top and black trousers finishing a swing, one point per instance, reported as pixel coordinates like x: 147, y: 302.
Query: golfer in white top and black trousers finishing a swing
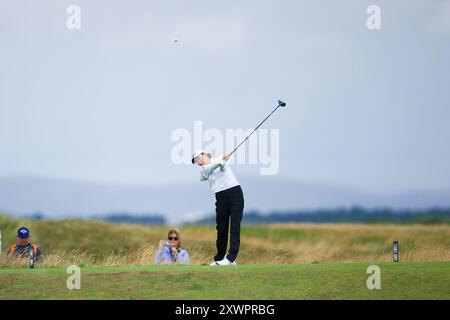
x: 229, y: 204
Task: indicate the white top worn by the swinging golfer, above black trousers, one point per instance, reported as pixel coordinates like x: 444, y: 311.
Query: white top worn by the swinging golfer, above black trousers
x: 219, y: 175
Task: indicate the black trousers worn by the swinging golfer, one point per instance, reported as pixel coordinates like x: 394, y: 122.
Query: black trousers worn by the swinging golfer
x: 229, y: 208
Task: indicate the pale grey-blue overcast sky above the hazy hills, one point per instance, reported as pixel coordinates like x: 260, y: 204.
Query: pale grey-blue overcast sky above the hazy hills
x: 366, y: 109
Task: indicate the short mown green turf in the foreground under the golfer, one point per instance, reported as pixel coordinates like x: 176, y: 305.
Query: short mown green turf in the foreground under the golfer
x: 408, y: 280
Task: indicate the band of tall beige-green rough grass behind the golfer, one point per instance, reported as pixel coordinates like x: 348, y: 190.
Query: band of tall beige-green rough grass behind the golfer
x: 284, y: 243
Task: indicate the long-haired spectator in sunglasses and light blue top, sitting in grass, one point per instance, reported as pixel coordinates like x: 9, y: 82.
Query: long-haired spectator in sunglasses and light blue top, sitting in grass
x: 170, y: 251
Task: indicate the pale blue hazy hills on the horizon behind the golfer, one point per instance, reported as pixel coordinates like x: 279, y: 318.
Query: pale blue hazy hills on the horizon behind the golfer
x: 188, y: 202
